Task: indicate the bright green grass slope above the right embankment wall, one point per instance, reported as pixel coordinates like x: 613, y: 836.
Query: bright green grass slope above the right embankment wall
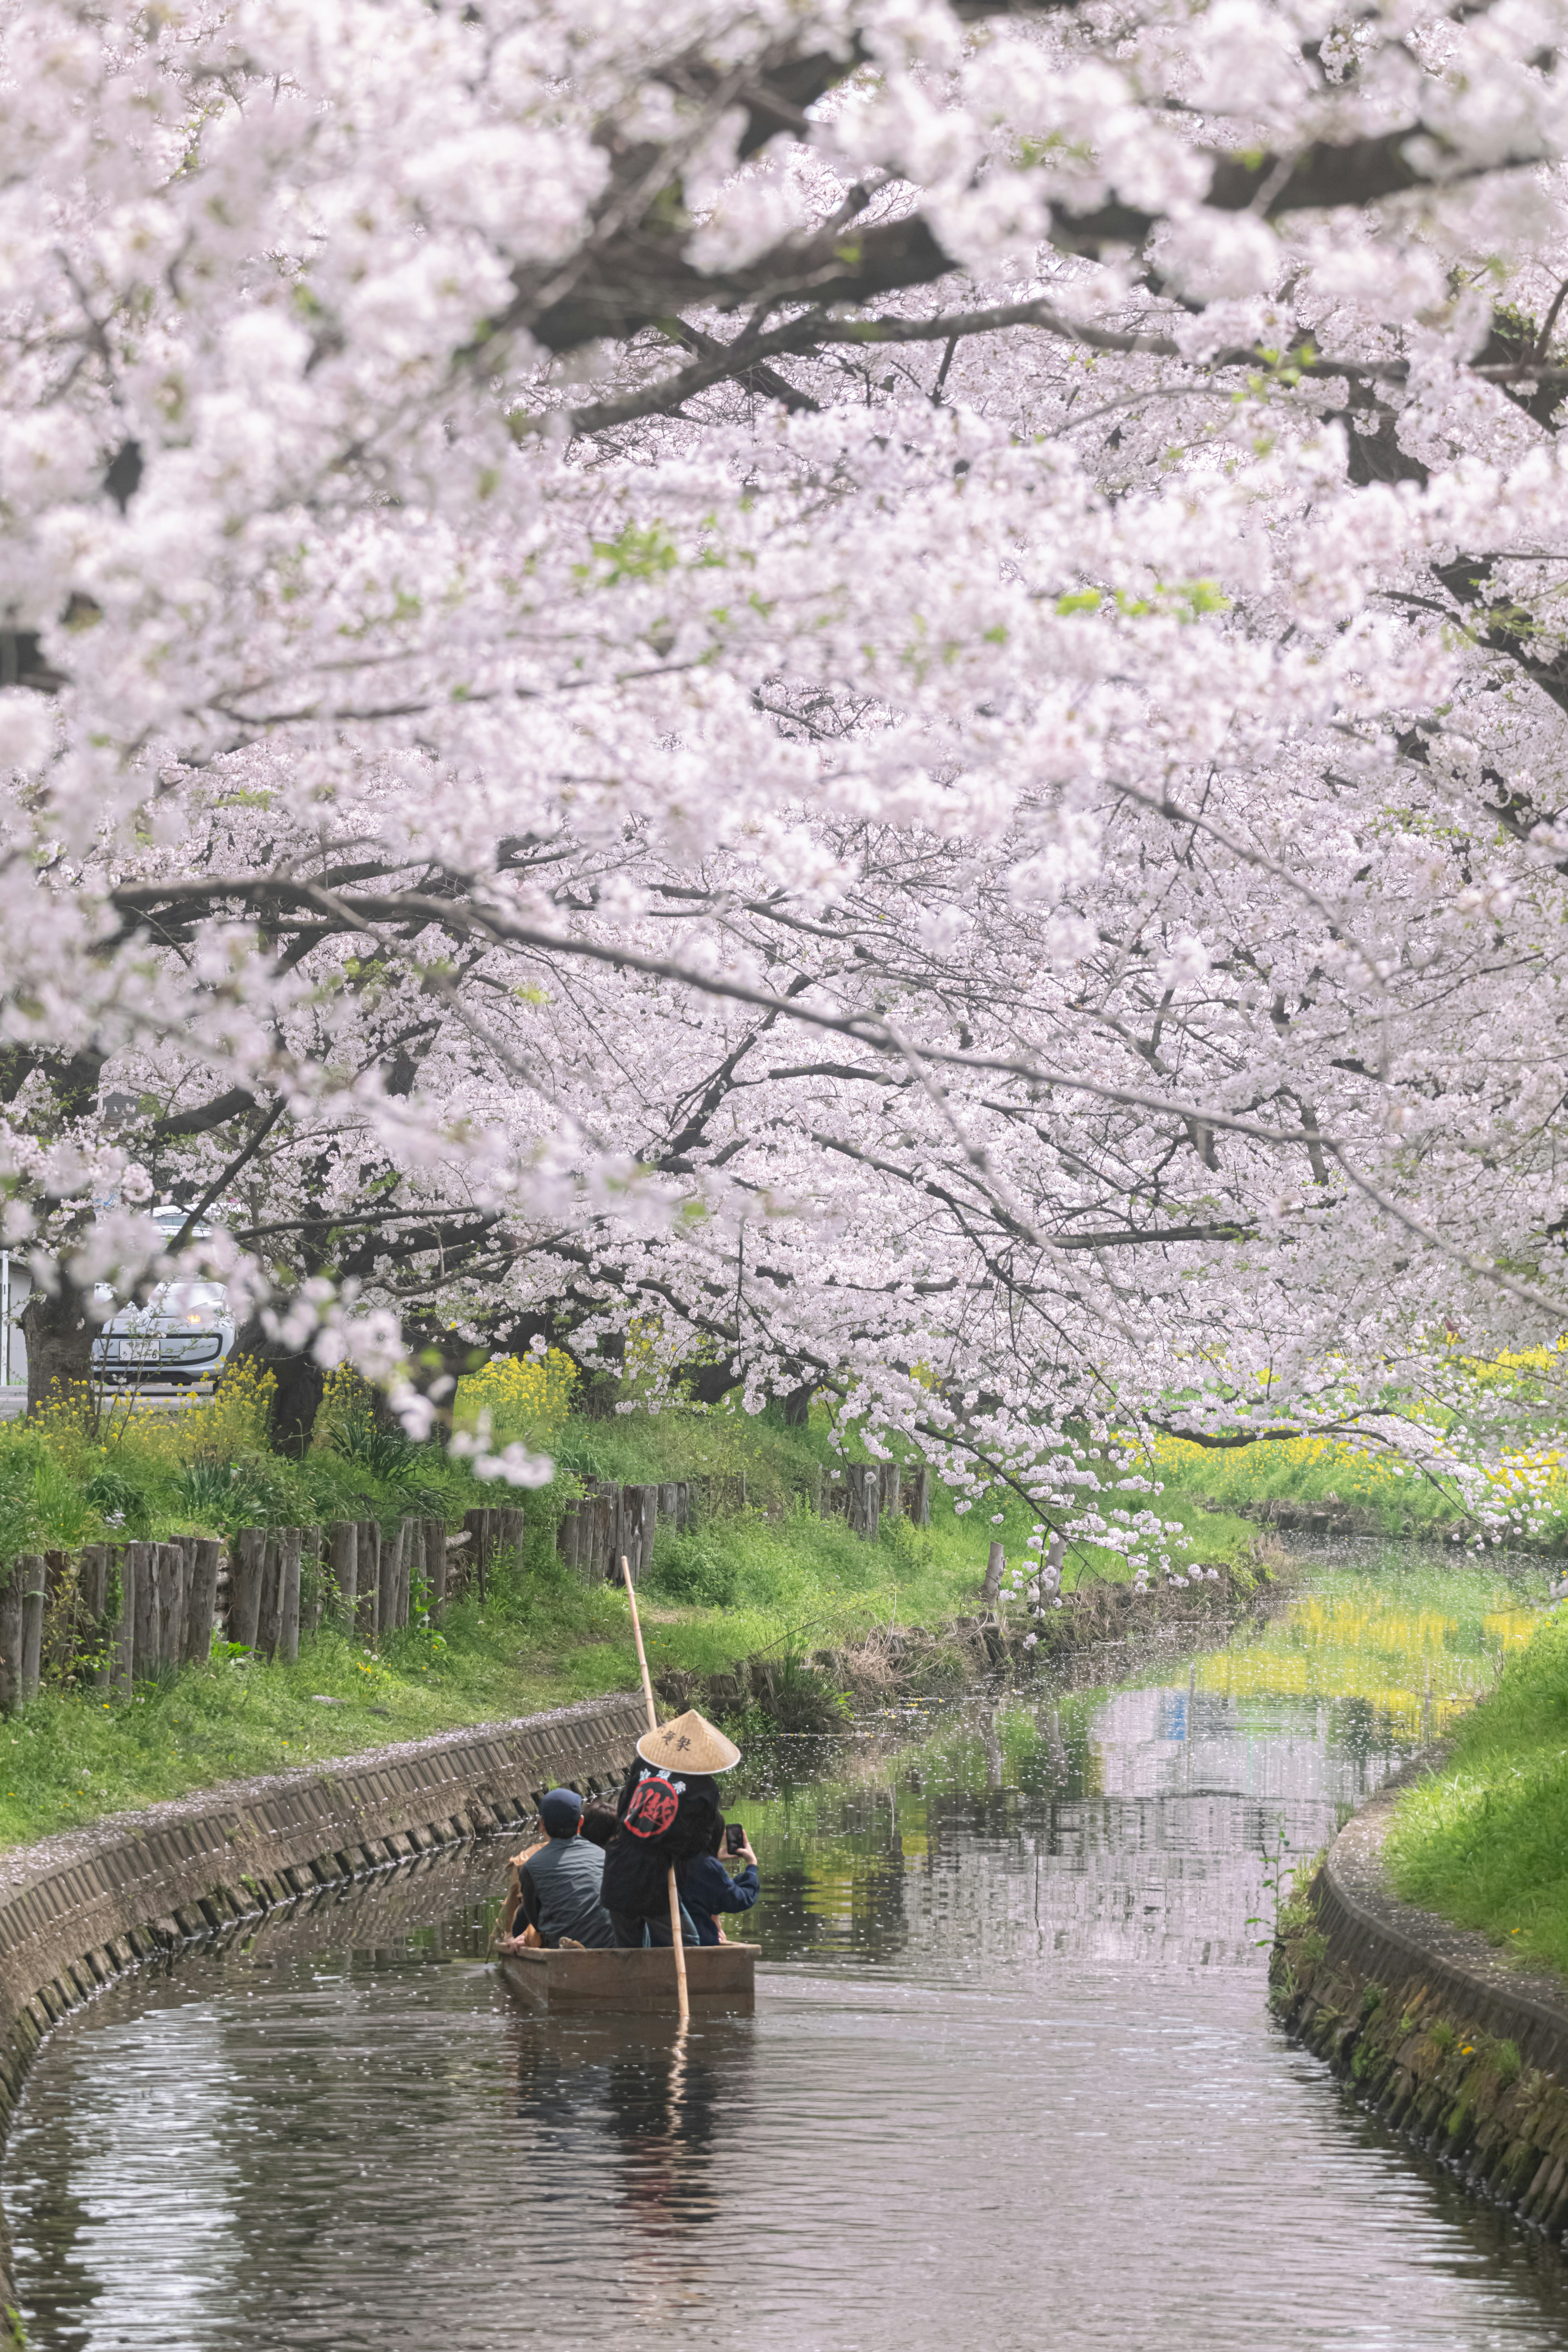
x: 1482, y: 1840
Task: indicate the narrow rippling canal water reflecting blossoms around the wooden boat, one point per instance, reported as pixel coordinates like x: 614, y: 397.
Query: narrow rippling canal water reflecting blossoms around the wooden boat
x: 1012, y: 2076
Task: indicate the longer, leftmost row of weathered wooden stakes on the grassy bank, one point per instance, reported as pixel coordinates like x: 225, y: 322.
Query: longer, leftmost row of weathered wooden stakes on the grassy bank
x: 133, y: 1612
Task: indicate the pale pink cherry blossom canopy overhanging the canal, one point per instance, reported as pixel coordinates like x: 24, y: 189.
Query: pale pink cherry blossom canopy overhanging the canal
x: 869, y: 693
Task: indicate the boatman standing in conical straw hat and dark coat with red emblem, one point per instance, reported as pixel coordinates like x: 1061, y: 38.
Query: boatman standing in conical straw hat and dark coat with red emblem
x: 669, y: 1808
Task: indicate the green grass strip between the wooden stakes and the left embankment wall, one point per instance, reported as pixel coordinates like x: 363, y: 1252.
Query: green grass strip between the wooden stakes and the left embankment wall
x: 542, y: 1638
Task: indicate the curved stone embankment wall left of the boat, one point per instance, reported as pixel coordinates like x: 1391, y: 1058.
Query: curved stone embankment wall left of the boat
x: 79, y: 1911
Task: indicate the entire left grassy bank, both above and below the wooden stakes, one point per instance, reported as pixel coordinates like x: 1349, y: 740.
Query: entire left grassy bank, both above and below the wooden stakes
x: 768, y: 1582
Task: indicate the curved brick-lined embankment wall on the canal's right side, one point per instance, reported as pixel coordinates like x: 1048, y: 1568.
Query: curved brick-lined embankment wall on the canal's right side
x: 1445, y: 2040
